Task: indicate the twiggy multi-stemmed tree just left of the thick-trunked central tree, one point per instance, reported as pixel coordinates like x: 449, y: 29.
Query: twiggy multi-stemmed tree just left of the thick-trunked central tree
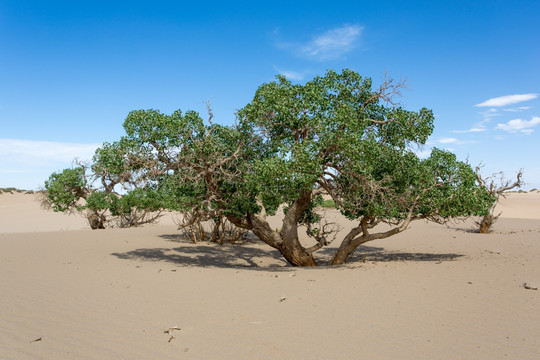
x: 194, y: 166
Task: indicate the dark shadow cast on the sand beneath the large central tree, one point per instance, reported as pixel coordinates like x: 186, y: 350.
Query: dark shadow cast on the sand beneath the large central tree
x: 249, y: 254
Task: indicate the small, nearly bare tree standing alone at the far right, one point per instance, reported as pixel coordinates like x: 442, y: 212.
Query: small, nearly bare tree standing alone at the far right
x: 496, y: 185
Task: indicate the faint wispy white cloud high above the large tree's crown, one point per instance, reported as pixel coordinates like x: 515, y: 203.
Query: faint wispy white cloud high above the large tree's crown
x: 330, y: 45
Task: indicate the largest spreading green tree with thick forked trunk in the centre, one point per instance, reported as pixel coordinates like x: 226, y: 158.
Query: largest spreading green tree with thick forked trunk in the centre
x: 292, y: 144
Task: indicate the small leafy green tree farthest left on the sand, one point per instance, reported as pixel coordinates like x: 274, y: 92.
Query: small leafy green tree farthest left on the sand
x: 93, y: 190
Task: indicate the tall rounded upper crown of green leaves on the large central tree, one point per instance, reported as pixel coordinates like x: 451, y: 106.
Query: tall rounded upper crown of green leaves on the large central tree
x: 328, y: 123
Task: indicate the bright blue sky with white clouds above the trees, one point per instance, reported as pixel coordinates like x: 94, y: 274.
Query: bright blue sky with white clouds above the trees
x: 70, y: 71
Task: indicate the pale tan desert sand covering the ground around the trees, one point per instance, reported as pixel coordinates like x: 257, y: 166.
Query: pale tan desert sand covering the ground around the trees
x: 432, y: 292
